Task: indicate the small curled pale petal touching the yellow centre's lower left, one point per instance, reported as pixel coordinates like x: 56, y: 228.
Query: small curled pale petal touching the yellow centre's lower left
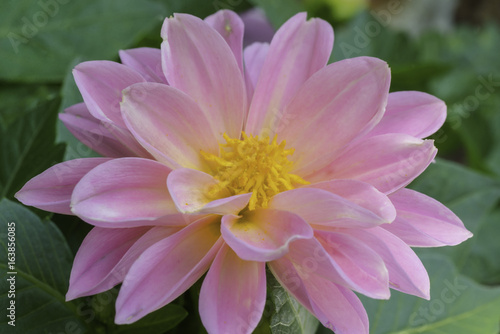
x: 190, y: 192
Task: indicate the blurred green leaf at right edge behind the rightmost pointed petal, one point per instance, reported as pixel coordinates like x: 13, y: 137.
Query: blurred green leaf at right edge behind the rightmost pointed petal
x: 472, y: 197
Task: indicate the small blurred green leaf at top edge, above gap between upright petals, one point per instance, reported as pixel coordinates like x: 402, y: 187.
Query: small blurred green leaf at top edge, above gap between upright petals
x: 278, y: 11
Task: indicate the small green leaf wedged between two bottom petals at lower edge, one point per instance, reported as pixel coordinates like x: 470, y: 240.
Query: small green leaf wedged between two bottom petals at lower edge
x: 286, y: 314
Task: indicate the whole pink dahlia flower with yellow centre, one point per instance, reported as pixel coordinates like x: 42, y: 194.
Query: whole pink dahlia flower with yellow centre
x: 221, y: 160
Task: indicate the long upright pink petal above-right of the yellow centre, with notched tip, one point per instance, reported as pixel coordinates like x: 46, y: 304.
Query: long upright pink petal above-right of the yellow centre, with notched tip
x: 286, y: 68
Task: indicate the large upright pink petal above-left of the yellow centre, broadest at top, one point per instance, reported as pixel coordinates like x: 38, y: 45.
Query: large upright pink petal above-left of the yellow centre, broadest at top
x: 198, y: 61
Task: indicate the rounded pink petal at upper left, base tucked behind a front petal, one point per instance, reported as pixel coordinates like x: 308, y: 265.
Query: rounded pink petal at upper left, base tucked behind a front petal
x: 101, y: 83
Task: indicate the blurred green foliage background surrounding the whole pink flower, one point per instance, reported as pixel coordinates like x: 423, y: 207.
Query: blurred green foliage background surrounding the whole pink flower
x: 448, y: 48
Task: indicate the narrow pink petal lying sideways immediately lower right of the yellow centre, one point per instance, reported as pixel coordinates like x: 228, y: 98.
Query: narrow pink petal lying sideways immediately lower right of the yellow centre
x: 321, y: 207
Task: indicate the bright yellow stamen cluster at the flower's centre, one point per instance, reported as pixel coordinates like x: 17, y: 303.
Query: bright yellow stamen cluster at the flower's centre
x: 252, y: 164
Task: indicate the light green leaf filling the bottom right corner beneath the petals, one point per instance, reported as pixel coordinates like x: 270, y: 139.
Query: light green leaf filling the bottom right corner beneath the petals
x: 458, y: 305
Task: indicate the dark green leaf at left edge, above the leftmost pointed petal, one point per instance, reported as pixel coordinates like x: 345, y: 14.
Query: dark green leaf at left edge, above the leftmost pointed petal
x: 27, y: 147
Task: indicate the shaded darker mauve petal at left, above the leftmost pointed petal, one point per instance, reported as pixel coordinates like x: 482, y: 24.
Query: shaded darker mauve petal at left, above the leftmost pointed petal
x: 105, y: 138
